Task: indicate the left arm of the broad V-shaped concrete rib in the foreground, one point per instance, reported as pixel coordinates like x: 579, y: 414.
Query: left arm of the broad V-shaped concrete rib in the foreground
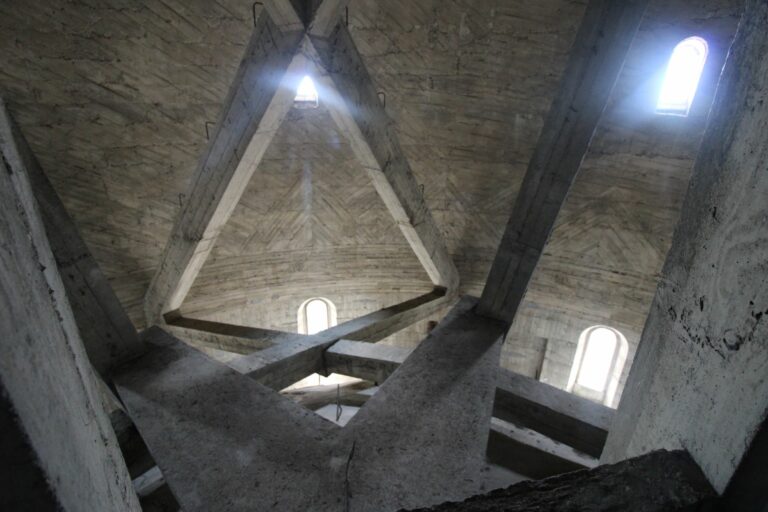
x: 225, y: 442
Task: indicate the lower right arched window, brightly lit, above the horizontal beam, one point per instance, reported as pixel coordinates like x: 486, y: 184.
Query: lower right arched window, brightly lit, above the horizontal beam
x: 597, y: 366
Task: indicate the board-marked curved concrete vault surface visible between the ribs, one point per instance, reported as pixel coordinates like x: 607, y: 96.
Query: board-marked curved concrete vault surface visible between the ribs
x: 115, y: 96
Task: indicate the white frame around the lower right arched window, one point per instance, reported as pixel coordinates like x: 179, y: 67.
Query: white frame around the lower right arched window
x: 607, y: 395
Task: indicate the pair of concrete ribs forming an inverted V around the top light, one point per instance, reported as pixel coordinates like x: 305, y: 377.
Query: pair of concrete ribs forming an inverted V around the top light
x: 258, y: 101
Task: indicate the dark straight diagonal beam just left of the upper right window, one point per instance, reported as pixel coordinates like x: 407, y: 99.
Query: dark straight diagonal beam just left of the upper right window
x: 598, y: 54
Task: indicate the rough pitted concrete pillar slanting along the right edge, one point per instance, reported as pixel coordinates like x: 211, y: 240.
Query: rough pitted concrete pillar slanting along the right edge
x: 700, y: 379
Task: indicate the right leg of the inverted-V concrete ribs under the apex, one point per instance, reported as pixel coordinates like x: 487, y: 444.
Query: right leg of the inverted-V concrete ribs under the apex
x: 351, y: 97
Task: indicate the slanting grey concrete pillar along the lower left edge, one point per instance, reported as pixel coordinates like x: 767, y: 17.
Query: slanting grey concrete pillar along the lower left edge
x: 44, y: 369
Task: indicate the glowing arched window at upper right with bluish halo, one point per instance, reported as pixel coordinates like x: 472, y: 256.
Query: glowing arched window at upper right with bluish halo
x: 682, y: 78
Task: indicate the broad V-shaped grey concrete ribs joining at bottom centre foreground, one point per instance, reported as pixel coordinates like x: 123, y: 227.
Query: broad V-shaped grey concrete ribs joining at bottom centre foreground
x: 227, y: 443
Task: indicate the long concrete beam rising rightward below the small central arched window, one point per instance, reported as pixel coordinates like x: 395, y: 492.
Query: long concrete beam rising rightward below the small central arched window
x: 286, y: 363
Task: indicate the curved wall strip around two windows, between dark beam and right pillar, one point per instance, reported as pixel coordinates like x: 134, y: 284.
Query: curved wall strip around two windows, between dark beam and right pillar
x: 602, y: 262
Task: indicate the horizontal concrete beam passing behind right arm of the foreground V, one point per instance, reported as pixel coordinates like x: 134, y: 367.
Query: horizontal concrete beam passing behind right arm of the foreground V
x: 561, y: 416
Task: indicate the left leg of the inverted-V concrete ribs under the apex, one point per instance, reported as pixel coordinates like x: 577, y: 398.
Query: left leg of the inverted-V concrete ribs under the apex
x: 260, y: 98
